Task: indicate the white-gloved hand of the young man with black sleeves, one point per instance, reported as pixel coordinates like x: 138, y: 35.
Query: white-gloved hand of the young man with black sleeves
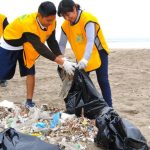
x: 69, y: 67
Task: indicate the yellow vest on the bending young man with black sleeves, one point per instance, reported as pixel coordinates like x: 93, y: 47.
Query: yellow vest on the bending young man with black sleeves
x: 28, y: 23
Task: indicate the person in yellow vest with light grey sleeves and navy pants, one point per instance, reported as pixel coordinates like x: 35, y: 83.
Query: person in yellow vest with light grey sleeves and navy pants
x: 85, y: 36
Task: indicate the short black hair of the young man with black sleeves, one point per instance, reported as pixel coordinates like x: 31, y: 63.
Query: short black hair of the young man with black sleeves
x: 47, y: 9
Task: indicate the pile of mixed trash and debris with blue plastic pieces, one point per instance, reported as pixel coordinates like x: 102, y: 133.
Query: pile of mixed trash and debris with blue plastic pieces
x: 51, y: 125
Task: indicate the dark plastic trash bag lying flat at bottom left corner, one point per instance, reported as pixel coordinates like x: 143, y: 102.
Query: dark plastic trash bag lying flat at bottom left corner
x: 10, y: 139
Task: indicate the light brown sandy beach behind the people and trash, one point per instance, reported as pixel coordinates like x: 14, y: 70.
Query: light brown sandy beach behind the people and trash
x: 129, y: 75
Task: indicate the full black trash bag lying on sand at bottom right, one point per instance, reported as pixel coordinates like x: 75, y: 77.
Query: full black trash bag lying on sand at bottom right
x: 115, y: 133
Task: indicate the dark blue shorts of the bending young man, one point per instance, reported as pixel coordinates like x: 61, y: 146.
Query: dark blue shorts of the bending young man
x: 8, y: 61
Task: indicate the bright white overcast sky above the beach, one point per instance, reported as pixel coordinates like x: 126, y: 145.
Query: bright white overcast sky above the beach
x: 119, y: 19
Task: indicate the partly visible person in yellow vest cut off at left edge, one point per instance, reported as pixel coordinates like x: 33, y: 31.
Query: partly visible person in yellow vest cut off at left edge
x: 3, y: 24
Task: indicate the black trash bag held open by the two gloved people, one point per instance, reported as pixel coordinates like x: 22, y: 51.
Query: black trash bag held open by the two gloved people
x: 83, y: 96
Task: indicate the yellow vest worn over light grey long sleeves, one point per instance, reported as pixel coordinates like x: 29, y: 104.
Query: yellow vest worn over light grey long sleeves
x: 76, y: 36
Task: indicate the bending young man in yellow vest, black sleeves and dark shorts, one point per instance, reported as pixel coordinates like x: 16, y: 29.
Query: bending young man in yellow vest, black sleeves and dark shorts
x: 23, y: 41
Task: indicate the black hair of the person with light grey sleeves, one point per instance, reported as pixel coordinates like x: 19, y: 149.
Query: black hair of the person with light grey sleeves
x: 66, y: 6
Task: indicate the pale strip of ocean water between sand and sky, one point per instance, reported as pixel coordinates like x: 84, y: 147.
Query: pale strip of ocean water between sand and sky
x: 129, y: 43
